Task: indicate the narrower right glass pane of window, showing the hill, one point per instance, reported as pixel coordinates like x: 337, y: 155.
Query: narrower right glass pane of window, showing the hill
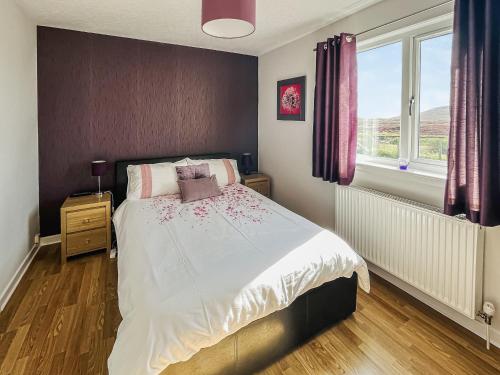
x: 434, y: 117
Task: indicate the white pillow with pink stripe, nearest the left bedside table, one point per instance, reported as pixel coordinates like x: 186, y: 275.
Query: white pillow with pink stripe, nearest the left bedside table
x: 152, y: 180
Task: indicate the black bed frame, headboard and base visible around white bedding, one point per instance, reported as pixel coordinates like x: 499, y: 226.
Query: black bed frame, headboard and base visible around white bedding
x: 260, y: 343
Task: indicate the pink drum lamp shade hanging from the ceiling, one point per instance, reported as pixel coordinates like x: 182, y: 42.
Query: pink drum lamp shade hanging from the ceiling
x: 228, y: 18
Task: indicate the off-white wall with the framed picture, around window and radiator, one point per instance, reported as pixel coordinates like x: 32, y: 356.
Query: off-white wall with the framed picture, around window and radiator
x: 285, y: 148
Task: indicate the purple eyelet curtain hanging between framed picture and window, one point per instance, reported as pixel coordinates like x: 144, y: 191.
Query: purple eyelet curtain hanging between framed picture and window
x: 335, y: 110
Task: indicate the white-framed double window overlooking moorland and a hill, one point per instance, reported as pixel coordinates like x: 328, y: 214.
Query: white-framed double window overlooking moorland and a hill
x: 403, y: 97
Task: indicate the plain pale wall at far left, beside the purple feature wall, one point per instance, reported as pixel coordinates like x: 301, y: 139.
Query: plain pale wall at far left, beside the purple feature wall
x: 18, y: 139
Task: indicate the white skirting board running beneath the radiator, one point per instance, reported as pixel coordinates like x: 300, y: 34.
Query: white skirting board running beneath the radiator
x: 474, y: 326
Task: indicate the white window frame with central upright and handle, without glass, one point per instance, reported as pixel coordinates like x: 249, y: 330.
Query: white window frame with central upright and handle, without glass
x: 410, y: 37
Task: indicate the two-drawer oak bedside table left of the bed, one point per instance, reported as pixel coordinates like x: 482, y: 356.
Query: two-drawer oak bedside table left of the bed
x: 85, y: 225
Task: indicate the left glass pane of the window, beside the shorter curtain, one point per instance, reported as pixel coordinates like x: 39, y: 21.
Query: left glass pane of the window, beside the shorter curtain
x: 379, y: 101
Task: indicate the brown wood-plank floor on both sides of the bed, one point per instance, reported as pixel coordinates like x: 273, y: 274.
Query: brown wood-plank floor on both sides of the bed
x: 63, y: 320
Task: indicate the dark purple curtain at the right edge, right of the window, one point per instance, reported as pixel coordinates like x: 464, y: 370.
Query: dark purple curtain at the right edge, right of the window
x: 473, y: 184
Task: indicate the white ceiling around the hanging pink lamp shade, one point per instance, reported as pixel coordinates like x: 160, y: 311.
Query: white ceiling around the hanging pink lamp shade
x: 178, y: 21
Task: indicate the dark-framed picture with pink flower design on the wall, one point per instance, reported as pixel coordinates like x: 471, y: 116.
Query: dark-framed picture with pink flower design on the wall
x: 291, y: 99
